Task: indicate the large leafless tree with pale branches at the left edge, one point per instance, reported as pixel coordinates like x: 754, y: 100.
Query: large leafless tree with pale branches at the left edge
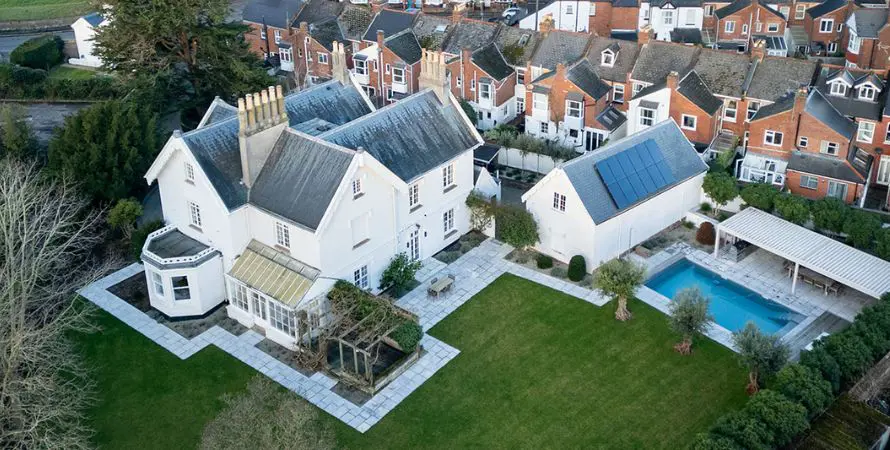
x: 47, y: 235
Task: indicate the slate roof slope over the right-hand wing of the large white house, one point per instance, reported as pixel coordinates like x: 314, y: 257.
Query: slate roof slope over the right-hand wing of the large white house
x: 417, y: 147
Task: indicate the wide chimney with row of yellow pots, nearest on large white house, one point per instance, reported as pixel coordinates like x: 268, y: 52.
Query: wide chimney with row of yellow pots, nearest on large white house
x: 261, y: 119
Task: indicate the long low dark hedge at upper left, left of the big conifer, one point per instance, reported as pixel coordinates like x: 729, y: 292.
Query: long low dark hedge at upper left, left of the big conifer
x: 17, y: 82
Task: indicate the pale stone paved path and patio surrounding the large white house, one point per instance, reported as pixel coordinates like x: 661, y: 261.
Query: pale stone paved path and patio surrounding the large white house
x: 473, y: 271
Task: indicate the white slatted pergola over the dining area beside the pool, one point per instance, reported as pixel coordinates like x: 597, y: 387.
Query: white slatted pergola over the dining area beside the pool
x: 840, y: 262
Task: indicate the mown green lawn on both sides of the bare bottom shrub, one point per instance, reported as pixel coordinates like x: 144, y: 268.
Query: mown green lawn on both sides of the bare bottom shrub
x: 537, y: 368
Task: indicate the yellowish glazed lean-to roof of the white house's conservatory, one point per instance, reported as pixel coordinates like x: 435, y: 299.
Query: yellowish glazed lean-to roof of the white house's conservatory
x: 273, y: 273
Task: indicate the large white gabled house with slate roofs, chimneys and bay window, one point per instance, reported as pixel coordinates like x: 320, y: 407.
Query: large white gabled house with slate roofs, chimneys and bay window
x: 269, y: 203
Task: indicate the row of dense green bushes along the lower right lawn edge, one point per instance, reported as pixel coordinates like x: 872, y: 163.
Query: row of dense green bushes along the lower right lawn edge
x: 801, y: 391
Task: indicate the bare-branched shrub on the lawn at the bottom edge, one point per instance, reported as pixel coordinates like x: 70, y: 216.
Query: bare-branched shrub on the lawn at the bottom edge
x: 267, y: 417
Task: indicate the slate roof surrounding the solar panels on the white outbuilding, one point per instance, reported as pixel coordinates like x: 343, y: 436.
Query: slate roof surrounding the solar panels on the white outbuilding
x: 680, y: 156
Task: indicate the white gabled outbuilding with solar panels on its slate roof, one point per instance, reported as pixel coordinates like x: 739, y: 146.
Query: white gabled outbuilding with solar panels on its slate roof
x: 600, y: 205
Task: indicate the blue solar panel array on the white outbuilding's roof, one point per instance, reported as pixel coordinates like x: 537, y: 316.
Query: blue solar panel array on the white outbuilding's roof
x: 635, y: 173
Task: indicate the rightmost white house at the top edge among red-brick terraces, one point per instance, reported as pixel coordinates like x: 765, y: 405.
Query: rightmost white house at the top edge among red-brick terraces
x: 664, y: 16
